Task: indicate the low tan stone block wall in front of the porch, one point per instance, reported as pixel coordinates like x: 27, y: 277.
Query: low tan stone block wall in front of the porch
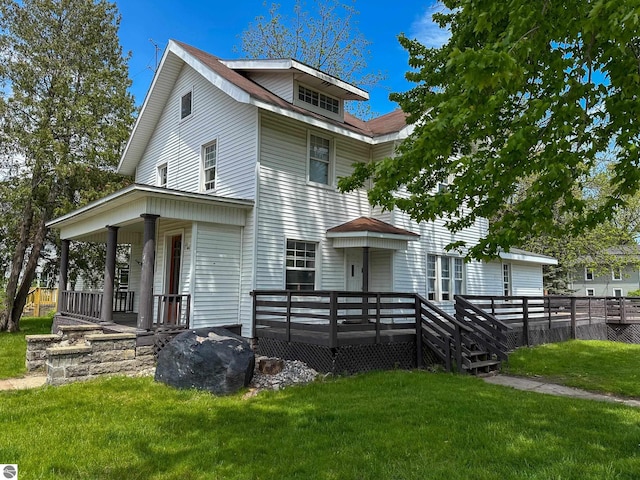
x: 84, y: 352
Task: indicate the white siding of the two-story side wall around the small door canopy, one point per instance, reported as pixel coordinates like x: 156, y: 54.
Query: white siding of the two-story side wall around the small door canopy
x: 289, y: 207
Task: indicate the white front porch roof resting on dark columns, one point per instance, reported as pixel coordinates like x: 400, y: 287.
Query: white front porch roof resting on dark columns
x: 124, y: 208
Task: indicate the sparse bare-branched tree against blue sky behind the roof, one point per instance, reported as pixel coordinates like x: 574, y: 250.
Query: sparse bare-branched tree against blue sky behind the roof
x: 326, y: 39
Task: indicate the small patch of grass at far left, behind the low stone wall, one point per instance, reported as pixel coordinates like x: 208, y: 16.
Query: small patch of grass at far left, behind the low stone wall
x: 13, y: 346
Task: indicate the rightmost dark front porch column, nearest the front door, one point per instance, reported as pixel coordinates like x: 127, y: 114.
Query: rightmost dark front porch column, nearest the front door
x: 145, y: 310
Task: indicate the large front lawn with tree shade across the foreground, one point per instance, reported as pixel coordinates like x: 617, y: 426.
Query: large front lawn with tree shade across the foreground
x: 387, y: 425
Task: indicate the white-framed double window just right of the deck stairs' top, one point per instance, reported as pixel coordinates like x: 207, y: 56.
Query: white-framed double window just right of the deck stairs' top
x: 445, y: 277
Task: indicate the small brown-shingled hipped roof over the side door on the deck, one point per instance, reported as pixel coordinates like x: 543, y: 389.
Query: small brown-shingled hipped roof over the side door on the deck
x: 370, y: 232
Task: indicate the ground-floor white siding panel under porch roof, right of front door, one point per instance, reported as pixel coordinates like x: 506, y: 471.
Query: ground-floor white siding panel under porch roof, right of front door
x: 217, y: 257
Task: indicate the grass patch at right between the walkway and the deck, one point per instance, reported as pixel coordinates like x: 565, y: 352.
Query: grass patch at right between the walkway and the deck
x: 601, y: 366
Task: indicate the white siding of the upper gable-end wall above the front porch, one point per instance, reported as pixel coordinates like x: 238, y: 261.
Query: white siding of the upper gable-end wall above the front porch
x: 216, y: 117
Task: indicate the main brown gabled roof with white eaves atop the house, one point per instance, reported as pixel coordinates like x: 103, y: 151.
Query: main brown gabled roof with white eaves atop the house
x: 244, y: 90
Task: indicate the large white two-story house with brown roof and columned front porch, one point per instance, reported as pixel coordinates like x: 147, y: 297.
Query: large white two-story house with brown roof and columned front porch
x: 236, y: 164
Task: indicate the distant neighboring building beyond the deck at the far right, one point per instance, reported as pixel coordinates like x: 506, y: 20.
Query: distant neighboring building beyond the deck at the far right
x: 617, y: 281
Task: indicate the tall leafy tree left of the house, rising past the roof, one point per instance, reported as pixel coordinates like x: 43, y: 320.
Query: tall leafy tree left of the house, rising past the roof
x: 65, y: 117
